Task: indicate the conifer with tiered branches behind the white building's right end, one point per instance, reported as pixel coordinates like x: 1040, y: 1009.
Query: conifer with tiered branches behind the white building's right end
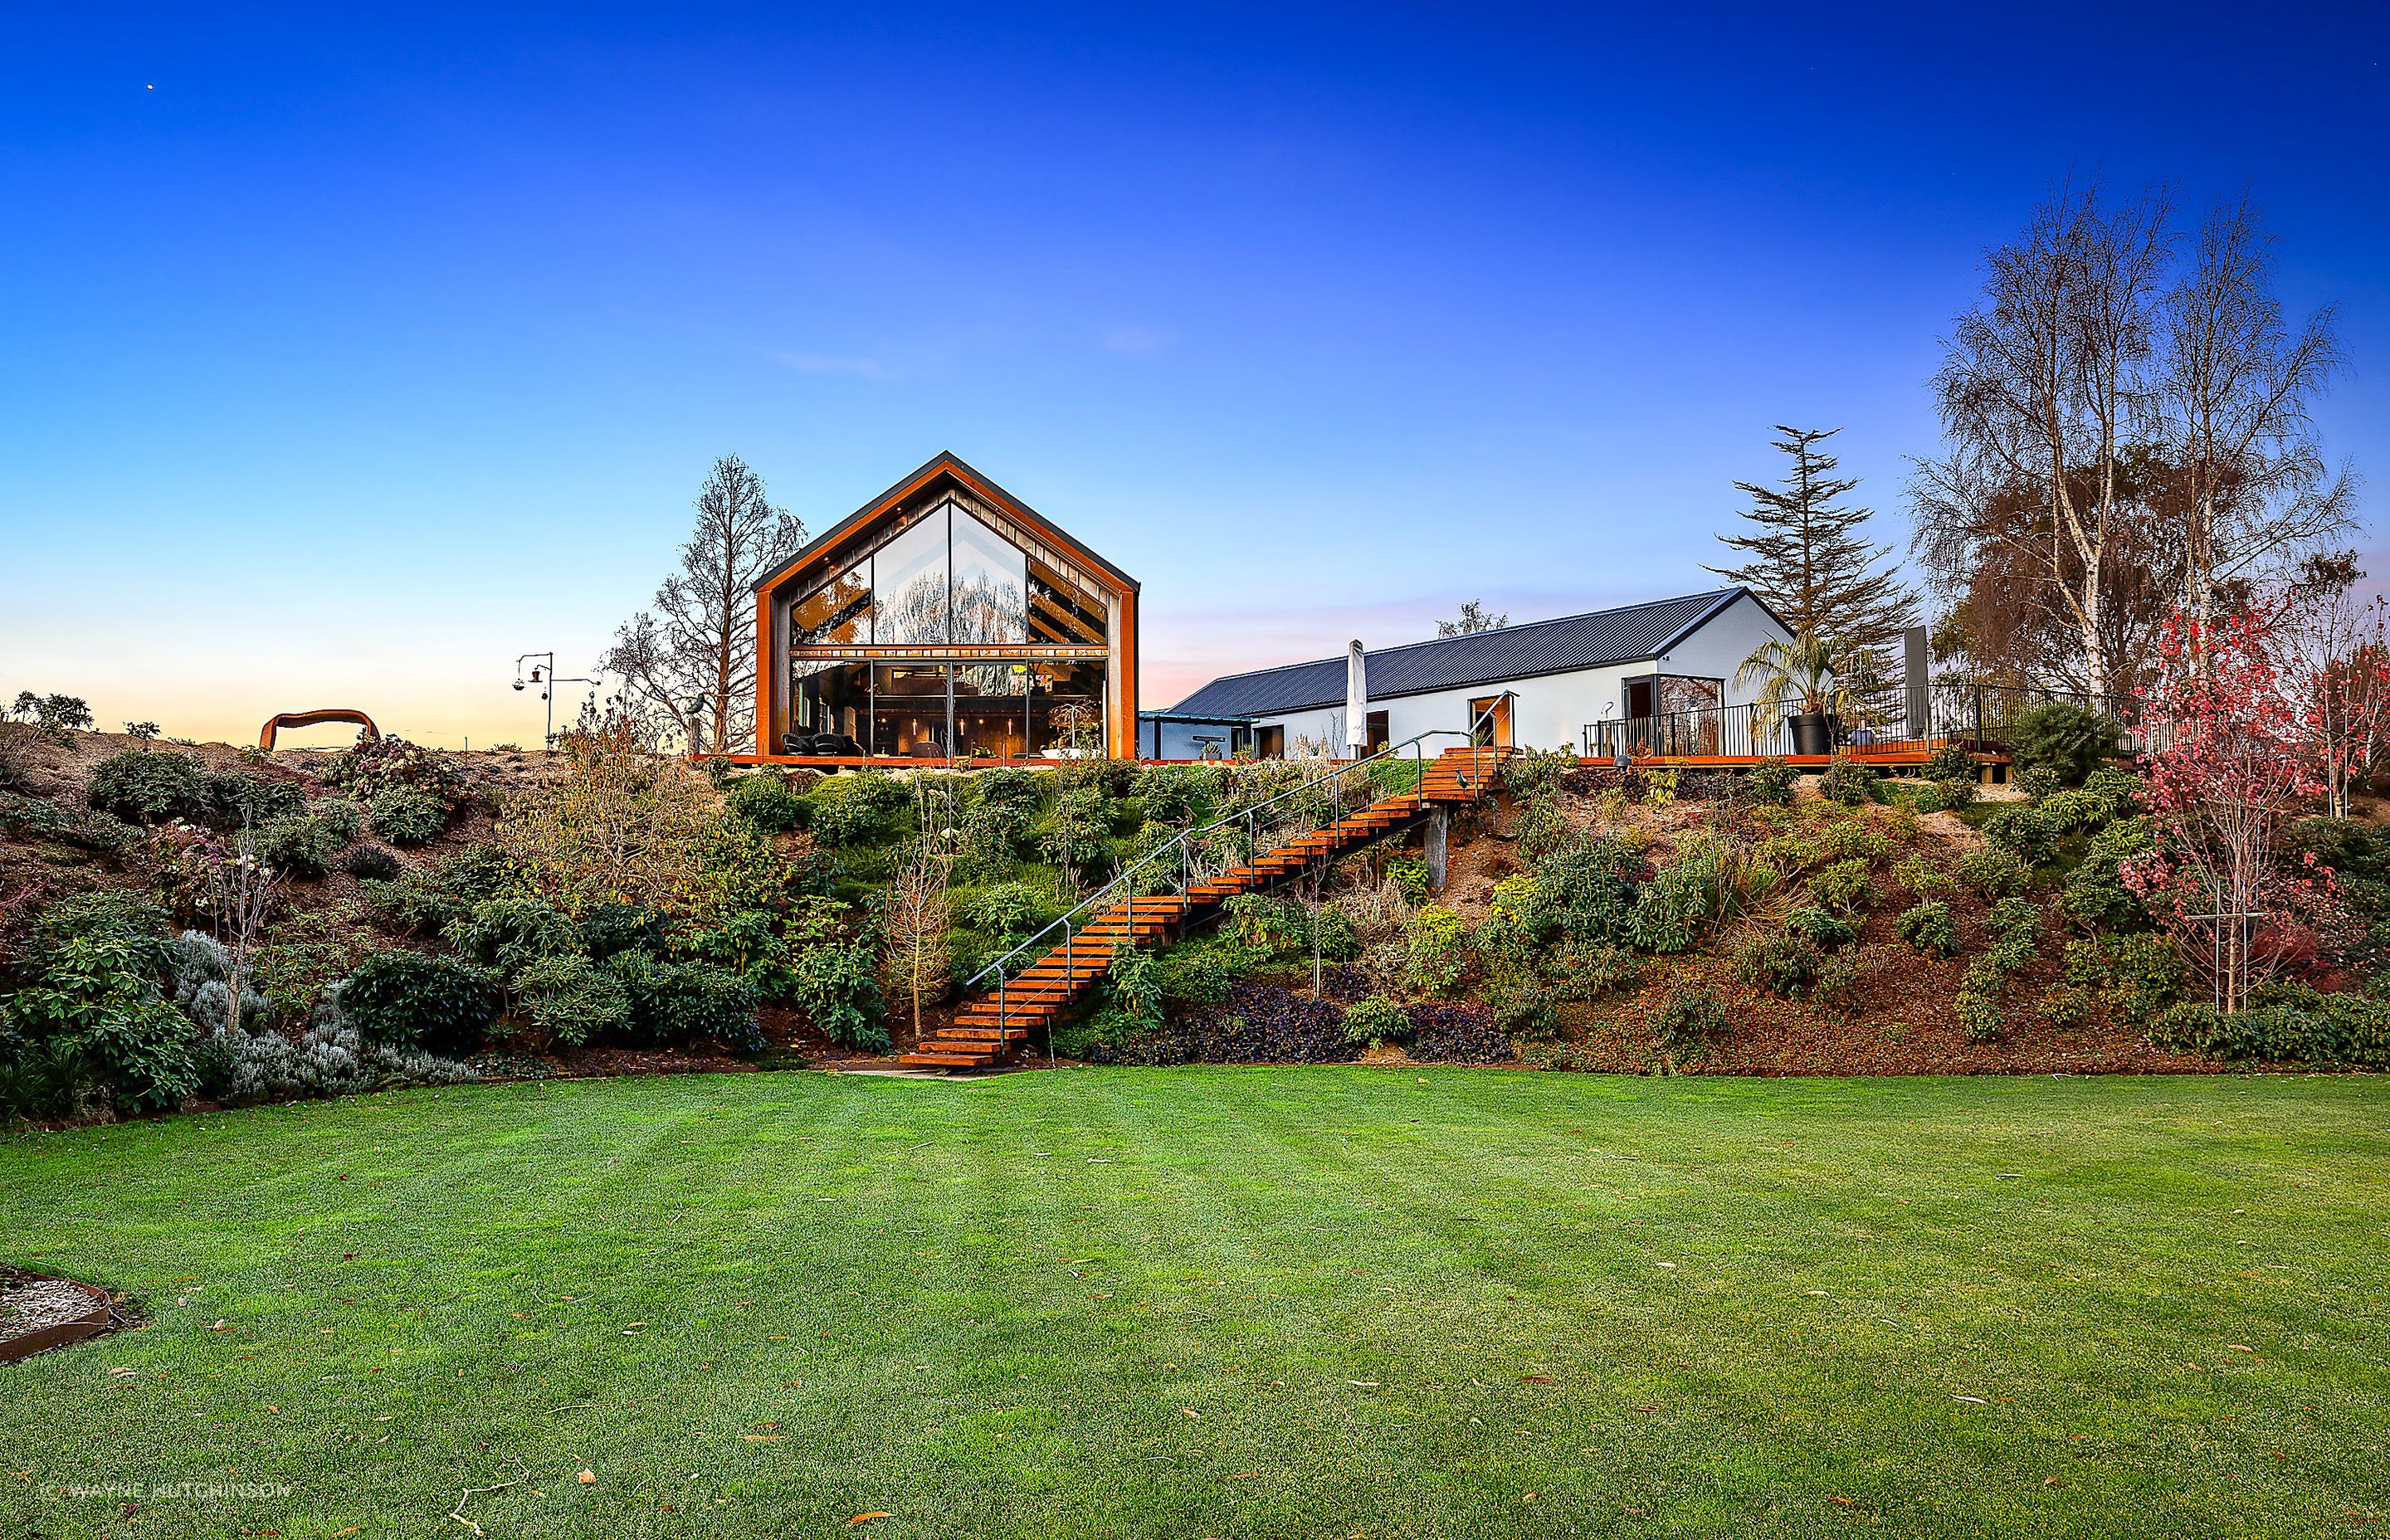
x: 1810, y: 558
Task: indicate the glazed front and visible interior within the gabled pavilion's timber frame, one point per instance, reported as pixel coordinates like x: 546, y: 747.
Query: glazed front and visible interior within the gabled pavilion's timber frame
x: 948, y: 582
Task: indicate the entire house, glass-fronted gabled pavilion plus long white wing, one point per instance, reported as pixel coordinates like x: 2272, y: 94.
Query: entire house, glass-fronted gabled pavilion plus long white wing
x: 948, y: 621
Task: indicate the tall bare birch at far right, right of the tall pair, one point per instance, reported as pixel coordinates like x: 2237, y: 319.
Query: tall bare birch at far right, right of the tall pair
x: 2236, y: 403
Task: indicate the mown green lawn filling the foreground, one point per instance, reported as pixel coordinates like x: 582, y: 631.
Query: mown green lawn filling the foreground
x: 1225, y: 1302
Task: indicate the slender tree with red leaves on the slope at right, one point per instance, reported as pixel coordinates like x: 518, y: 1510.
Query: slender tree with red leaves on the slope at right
x: 2238, y: 769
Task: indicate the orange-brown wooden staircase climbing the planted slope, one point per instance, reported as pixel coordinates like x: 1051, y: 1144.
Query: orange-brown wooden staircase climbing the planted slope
x: 993, y: 1025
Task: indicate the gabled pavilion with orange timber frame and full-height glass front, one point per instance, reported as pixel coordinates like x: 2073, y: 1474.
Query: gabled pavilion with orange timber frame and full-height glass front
x: 940, y: 621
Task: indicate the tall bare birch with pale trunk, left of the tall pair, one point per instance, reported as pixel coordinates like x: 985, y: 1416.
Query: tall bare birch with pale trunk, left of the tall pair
x: 2042, y: 391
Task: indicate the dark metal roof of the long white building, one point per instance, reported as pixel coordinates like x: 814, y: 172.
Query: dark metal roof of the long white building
x: 1548, y: 647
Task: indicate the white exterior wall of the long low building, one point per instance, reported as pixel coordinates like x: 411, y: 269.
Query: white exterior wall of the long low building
x: 1555, y: 709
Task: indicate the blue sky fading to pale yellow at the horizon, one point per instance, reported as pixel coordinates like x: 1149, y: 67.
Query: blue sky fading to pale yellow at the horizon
x: 343, y: 357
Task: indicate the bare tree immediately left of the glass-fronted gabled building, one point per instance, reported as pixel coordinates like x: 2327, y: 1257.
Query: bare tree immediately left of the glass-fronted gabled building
x: 694, y: 656
